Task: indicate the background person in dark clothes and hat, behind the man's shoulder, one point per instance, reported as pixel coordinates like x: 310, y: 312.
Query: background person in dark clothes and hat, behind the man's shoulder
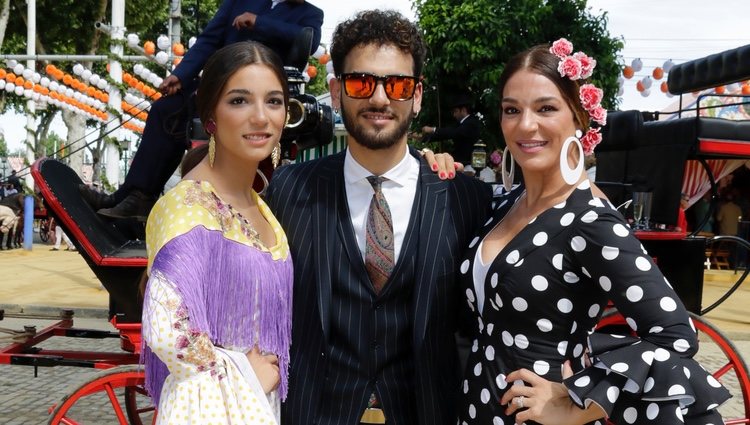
x: 465, y: 135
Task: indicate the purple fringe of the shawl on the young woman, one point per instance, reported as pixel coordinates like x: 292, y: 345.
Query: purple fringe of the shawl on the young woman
x: 238, y: 295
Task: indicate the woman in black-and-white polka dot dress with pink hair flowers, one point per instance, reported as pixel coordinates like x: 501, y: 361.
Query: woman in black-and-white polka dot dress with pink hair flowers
x: 541, y: 270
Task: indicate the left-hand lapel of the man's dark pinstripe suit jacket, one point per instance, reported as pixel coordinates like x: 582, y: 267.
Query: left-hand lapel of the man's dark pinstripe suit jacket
x: 327, y: 198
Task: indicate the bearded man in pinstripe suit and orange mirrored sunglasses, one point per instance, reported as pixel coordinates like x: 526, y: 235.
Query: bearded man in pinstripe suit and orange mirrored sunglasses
x: 364, y: 353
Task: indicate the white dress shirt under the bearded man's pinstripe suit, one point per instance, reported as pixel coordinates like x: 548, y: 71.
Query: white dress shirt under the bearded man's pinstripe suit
x: 399, y: 191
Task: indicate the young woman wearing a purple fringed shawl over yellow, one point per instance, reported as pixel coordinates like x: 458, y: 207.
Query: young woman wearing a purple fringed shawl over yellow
x: 217, y: 305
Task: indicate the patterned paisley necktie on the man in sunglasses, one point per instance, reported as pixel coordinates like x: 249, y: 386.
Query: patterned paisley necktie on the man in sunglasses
x: 379, y: 240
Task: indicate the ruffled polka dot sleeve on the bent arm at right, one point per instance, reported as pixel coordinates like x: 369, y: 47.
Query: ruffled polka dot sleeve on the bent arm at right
x: 648, y: 376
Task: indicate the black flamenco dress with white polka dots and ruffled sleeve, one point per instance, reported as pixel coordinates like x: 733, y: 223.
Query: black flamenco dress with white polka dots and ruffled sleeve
x: 544, y: 293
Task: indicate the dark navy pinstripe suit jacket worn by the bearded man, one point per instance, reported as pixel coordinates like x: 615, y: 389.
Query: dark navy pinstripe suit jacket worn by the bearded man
x: 309, y: 200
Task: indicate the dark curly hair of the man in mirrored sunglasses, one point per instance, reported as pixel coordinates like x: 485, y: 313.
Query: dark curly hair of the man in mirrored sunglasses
x: 379, y: 27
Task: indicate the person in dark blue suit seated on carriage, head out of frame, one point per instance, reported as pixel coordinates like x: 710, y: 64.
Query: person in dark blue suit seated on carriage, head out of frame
x: 276, y: 24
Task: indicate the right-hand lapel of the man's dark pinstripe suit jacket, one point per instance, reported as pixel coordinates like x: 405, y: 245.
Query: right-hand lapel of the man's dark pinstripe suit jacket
x: 432, y: 219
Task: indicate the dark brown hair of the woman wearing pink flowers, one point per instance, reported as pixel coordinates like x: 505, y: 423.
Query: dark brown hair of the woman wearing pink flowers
x: 539, y: 60
